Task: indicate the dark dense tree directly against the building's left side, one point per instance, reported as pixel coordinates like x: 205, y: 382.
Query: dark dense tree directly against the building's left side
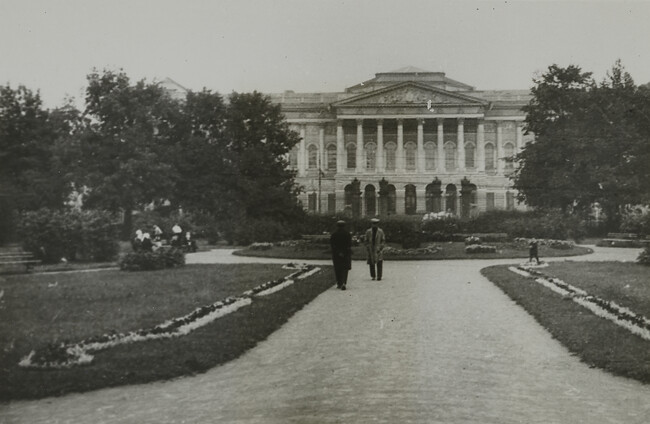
x: 234, y: 160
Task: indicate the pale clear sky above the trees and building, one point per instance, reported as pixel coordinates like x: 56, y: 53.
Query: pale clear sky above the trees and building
x: 313, y: 45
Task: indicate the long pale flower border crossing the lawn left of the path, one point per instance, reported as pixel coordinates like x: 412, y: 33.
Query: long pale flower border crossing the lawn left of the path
x: 68, y: 355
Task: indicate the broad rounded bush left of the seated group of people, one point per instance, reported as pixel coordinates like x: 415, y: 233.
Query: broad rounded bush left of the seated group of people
x: 88, y: 235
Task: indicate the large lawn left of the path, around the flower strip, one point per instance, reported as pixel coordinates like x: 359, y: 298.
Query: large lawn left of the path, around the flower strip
x: 38, y: 309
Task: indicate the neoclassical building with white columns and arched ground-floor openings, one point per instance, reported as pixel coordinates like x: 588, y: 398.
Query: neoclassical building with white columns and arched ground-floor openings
x: 406, y: 142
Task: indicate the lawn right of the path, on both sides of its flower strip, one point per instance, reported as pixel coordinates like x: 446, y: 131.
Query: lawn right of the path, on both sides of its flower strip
x: 596, y: 341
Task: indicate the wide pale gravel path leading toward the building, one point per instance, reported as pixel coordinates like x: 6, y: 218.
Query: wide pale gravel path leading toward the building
x: 434, y: 342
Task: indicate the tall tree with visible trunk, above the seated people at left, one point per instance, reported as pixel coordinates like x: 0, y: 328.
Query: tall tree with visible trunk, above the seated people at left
x: 123, y: 144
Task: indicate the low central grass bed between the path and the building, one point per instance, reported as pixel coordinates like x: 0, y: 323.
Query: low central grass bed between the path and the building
x: 450, y: 250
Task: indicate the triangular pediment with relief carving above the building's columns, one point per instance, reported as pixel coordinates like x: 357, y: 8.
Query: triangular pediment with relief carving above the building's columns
x: 410, y: 94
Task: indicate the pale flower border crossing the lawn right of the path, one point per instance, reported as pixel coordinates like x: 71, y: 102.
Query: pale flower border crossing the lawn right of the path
x: 636, y: 324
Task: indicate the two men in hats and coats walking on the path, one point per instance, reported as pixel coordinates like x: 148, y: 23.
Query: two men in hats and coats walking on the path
x: 341, y: 244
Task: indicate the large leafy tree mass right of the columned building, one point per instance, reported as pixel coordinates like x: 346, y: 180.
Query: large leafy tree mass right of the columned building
x: 591, y: 143
